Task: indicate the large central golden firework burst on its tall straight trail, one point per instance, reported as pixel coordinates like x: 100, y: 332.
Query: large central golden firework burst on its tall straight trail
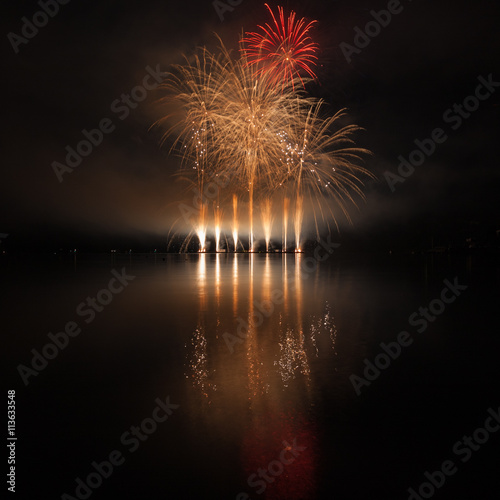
x: 230, y: 122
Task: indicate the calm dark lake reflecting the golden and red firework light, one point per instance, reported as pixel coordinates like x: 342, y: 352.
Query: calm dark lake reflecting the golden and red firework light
x: 266, y: 356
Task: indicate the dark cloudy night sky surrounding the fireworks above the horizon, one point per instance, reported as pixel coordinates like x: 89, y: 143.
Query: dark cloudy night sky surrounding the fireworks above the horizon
x: 67, y: 76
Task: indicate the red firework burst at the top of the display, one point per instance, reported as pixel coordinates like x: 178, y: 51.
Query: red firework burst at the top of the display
x: 284, y: 48
